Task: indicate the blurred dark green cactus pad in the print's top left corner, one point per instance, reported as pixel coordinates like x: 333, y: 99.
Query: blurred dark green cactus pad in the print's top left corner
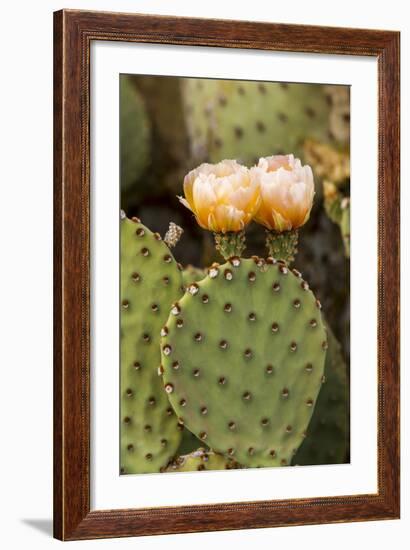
x: 135, y: 135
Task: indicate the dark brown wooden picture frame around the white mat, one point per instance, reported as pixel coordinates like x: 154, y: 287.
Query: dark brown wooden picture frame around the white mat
x: 73, y: 33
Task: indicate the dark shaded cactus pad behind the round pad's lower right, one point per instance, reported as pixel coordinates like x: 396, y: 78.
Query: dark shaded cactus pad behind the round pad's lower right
x: 327, y: 440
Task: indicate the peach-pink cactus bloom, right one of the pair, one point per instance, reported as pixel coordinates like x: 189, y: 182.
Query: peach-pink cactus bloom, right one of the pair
x: 286, y: 189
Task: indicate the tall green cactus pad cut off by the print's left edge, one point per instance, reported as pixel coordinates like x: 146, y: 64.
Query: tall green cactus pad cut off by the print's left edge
x: 150, y: 280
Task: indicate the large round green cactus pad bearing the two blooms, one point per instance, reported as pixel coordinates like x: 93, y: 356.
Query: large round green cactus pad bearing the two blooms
x: 243, y: 356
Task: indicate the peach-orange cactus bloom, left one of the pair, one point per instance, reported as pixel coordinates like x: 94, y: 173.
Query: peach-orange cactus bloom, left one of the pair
x: 222, y: 196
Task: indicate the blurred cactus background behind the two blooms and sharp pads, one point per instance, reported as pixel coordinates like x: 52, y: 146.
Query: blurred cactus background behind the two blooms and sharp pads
x: 169, y: 125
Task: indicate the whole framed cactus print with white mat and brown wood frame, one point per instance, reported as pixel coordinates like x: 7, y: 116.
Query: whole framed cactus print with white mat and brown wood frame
x: 226, y: 288
